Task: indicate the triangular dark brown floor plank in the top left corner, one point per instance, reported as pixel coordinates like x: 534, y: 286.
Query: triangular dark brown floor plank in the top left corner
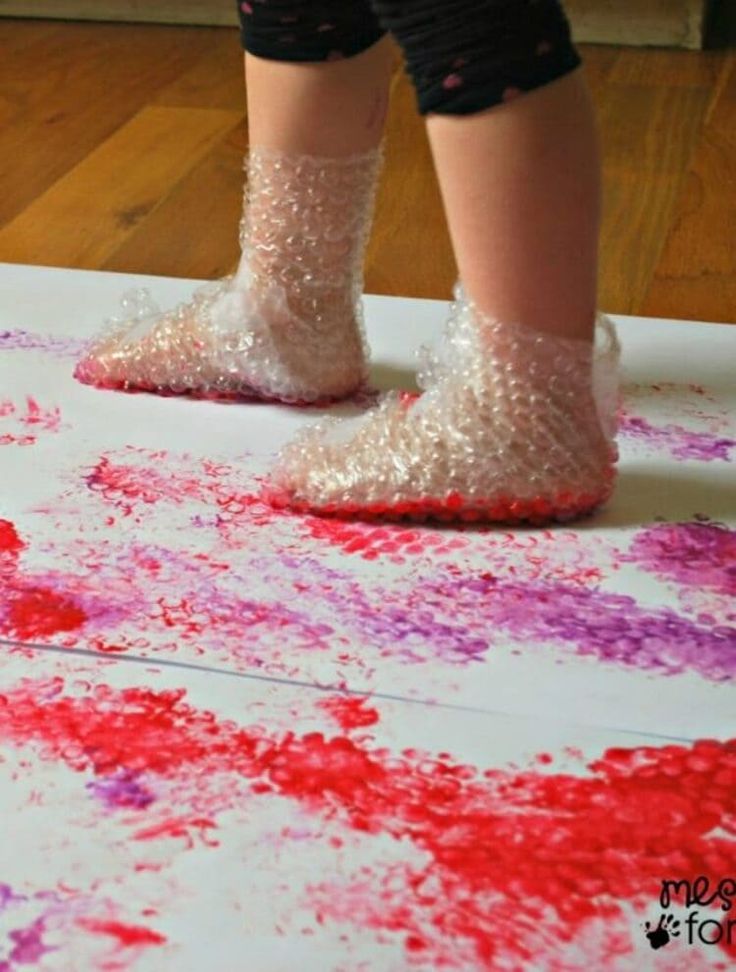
x: 77, y: 84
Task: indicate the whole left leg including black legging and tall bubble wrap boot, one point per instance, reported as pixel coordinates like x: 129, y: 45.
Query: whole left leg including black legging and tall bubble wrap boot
x: 287, y: 325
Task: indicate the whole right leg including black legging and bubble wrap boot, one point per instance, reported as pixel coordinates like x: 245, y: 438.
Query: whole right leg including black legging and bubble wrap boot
x: 516, y: 421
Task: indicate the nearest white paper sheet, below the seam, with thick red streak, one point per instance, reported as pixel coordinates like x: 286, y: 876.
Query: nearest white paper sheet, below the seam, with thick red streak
x: 165, y: 820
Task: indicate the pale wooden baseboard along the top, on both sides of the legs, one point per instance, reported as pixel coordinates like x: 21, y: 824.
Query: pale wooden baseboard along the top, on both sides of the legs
x: 665, y: 23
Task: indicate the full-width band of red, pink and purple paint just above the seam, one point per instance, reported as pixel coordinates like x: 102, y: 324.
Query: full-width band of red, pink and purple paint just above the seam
x: 146, y: 598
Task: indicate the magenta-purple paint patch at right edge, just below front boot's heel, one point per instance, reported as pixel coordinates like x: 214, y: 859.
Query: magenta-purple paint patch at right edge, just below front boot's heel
x: 700, y: 555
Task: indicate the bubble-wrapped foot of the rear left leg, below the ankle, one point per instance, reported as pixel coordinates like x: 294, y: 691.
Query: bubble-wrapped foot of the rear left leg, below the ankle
x: 230, y: 341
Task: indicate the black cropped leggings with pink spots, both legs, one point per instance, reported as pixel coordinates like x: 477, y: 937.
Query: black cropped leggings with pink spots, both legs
x: 463, y: 56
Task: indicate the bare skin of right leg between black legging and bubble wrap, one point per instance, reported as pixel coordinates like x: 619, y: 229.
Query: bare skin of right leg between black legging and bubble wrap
x: 521, y: 186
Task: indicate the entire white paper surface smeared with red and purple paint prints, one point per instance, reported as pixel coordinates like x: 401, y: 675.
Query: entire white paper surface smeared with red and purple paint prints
x: 537, y: 694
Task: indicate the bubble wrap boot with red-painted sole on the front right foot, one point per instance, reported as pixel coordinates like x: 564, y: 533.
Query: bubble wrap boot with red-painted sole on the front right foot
x: 514, y: 425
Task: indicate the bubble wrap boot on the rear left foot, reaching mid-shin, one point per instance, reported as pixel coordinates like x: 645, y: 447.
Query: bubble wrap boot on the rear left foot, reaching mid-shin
x: 288, y: 325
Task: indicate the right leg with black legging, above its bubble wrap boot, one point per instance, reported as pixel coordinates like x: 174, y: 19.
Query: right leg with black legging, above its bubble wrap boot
x: 520, y: 176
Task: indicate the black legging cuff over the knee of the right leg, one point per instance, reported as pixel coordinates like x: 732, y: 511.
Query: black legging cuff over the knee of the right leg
x: 466, y: 56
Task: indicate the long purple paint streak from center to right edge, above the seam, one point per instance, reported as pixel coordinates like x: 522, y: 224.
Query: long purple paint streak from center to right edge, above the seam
x: 460, y: 618
